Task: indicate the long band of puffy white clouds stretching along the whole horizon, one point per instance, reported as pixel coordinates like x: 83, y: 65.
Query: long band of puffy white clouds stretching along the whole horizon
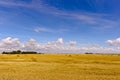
x: 58, y: 46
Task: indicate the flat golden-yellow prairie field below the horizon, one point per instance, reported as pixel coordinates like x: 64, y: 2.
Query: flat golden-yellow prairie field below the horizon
x: 59, y: 67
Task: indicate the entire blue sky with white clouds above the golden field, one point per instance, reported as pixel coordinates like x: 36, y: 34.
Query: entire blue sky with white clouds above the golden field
x: 60, y: 26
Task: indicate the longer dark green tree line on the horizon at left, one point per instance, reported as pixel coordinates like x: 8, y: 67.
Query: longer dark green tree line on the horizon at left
x: 21, y: 52
